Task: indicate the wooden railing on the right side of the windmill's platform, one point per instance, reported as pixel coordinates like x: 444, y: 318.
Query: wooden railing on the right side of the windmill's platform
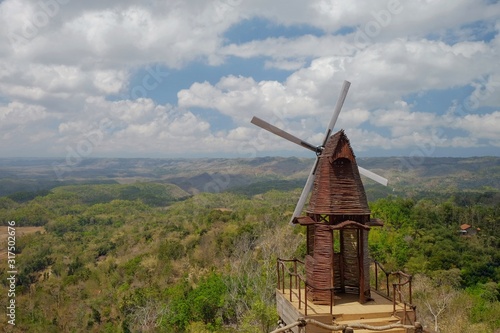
x: 401, y: 290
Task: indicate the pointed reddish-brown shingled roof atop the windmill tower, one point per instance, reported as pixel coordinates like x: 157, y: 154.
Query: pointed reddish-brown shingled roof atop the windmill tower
x: 338, y: 189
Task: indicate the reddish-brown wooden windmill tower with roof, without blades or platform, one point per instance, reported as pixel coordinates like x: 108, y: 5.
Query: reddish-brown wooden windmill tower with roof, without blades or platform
x: 337, y: 222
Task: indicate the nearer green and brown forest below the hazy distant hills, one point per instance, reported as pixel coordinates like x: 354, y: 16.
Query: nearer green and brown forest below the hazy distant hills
x: 150, y: 257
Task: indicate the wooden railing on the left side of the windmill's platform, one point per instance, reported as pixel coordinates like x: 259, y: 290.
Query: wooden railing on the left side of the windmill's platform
x: 295, y: 279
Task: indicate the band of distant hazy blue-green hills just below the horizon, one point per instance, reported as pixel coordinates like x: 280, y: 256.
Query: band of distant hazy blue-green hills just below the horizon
x: 408, y: 176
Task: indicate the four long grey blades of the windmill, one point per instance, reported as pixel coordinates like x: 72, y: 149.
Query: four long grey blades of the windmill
x: 317, y: 149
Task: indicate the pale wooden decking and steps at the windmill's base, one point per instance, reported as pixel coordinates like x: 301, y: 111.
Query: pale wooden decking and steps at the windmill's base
x: 347, y: 309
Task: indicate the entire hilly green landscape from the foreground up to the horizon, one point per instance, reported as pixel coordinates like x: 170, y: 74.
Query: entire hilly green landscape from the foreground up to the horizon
x: 140, y: 245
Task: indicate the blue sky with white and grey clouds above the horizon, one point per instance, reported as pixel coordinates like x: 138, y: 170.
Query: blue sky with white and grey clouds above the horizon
x: 122, y: 78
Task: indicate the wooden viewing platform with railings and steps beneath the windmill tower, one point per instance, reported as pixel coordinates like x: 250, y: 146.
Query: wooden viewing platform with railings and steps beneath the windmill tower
x: 385, y: 306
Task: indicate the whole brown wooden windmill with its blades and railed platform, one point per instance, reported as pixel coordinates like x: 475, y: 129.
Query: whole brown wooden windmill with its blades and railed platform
x: 337, y: 219
